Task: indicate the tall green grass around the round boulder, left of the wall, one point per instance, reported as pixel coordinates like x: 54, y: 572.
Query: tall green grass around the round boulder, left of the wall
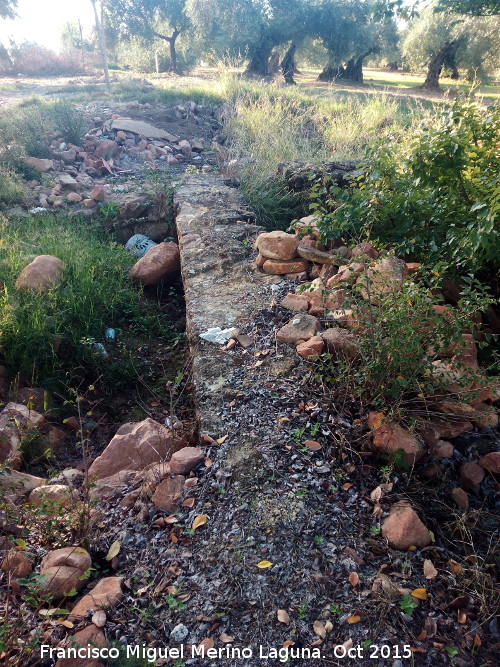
x: 95, y: 293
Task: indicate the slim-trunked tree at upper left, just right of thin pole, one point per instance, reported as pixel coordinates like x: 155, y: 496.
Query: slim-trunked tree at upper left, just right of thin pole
x: 165, y: 19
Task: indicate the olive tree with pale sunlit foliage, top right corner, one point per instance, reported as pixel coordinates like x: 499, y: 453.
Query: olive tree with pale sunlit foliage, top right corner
x: 439, y: 40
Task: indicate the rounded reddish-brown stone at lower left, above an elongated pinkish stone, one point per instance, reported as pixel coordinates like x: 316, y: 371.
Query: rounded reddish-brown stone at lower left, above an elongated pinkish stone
x: 64, y: 569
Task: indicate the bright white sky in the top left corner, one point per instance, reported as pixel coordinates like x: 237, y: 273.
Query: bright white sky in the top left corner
x: 41, y: 21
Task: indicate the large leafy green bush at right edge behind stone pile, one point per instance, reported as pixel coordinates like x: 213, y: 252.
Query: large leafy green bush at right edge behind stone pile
x: 434, y: 194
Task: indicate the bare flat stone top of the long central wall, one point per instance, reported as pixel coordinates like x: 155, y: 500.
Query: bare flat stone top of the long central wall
x: 222, y: 285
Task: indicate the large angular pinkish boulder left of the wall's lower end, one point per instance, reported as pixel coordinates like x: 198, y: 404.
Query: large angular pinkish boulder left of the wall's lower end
x: 134, y: 447
